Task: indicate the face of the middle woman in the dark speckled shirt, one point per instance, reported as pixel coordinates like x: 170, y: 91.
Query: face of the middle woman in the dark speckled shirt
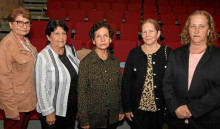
x: 102, y: 39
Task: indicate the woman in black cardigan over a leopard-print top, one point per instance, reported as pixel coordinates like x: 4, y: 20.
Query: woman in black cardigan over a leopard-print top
x: 142, y: 96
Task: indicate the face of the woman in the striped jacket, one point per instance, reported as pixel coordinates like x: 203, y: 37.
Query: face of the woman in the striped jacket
x: 57, y: 38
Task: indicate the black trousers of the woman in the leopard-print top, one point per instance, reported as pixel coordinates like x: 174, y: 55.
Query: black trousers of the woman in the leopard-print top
x: 147, y: 120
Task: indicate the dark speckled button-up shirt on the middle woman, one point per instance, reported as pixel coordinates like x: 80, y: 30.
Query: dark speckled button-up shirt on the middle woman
x: 98, y: 78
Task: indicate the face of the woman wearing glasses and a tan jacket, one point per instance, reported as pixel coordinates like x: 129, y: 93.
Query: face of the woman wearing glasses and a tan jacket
x: 20, y: 31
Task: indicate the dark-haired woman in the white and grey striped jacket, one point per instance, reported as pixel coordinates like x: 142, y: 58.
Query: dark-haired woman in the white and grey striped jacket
x: 56, y: 75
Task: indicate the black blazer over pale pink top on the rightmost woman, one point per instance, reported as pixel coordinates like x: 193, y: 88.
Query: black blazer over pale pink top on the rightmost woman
x: 203, y: 97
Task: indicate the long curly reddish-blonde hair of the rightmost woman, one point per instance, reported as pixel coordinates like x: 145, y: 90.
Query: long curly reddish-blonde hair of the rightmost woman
x: 211, y: 39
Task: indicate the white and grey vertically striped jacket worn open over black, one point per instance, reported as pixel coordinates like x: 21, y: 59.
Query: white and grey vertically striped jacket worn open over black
x: 52, y: 81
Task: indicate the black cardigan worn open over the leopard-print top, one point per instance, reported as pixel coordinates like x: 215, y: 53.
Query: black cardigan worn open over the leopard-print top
x: 135, y: 74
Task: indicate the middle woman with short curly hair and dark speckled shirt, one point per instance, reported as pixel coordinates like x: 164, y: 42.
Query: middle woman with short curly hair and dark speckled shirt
x: 99, y: 84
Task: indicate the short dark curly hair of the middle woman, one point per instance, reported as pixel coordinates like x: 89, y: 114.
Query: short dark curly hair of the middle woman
x: 99, y: 25
